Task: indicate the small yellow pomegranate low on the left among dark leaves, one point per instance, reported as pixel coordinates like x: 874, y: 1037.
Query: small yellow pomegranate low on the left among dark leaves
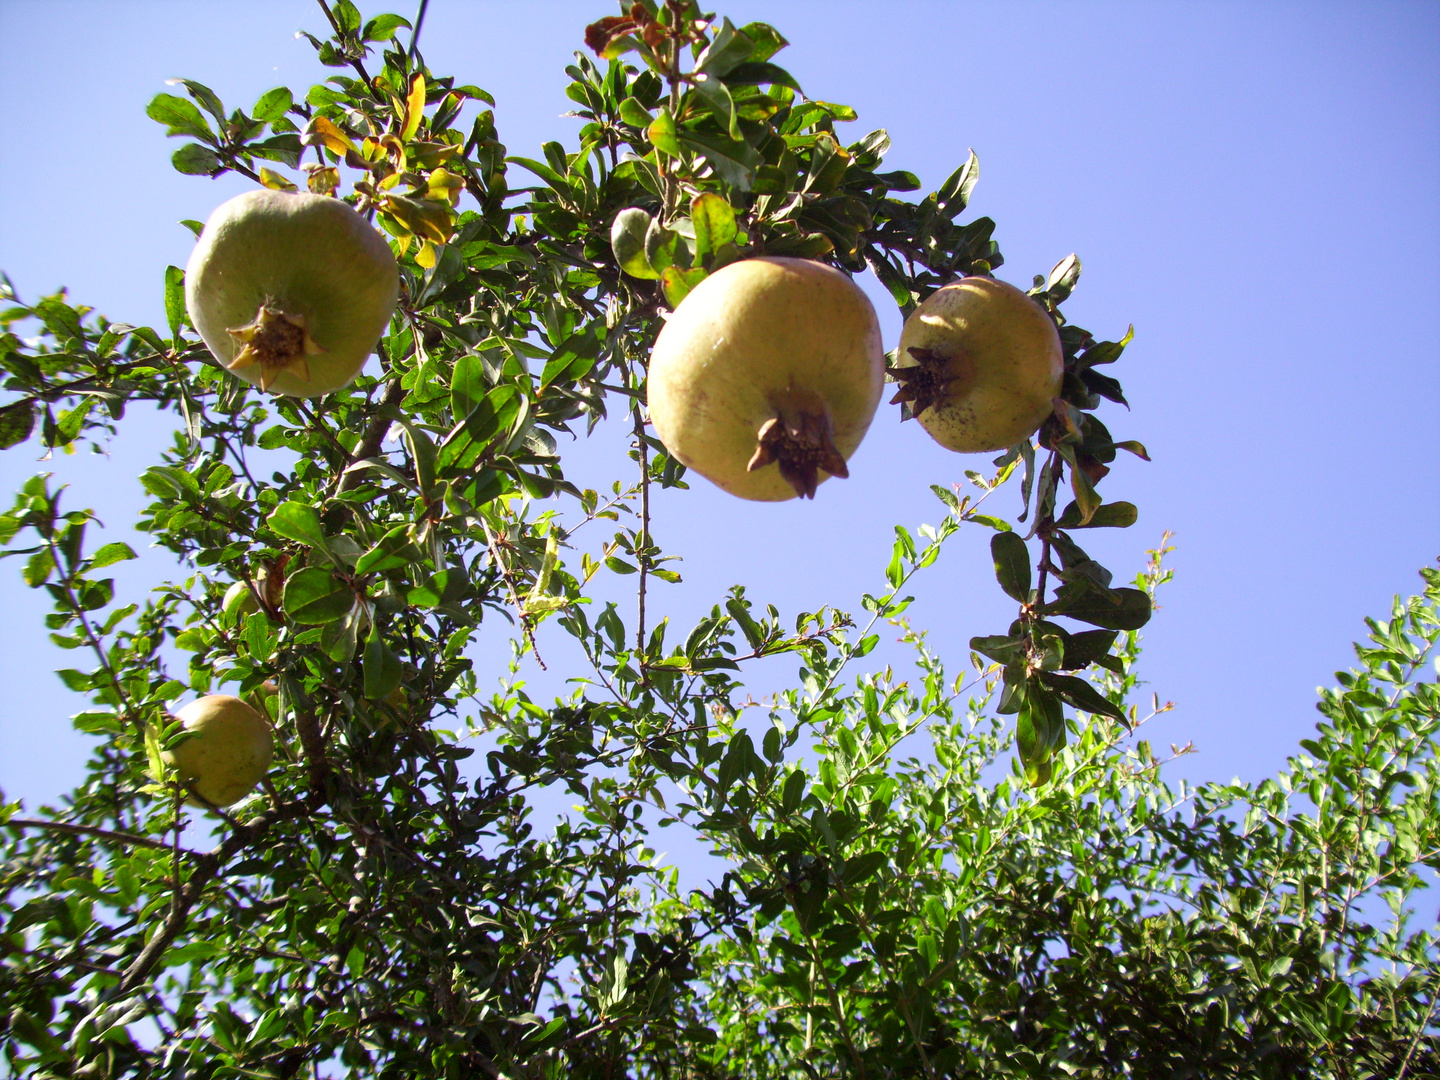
x: 228, y: 754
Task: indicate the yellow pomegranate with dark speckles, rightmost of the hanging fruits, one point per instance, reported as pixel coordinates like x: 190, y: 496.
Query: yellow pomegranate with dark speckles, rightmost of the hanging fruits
x: 980, y: 364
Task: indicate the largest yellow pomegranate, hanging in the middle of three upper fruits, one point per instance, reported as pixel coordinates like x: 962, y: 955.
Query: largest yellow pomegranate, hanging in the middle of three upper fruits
x: 767, y: 377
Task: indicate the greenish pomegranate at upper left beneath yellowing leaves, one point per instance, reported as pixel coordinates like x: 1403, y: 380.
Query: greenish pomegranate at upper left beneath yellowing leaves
x: 290, y: 290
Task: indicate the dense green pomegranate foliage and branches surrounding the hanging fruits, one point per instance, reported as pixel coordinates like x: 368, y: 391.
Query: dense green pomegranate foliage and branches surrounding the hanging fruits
x: 902, y: 899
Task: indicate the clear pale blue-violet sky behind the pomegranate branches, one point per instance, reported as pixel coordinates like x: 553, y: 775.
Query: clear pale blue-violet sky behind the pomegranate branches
x: 1256, y: 186
